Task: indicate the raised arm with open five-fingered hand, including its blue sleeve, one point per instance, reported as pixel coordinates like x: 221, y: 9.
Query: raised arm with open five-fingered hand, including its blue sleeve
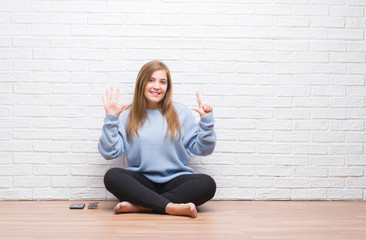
x: 110, y: 144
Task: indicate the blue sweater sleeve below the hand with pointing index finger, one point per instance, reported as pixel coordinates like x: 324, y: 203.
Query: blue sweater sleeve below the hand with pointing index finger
x: 201, y: 137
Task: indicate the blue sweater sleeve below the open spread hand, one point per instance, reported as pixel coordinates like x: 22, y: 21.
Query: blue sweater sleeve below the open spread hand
x: 110, y: 143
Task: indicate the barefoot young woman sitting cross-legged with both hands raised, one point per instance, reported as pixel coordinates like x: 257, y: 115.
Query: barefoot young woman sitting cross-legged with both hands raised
x: 157, y: 137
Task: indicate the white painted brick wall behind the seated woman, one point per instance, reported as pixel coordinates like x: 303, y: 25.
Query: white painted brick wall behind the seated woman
x: 286, y: 79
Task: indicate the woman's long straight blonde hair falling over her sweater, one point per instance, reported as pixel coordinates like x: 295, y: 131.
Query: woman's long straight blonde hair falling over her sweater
x: 137, y: 116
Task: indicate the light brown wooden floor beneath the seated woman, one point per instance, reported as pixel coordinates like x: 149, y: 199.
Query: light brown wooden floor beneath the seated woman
x: 280, y: 220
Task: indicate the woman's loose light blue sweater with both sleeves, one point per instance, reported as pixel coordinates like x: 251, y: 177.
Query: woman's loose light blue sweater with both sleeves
x: 151, y: 153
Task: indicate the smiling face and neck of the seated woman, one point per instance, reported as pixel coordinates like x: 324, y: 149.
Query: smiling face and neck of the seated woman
x: 156, y: 88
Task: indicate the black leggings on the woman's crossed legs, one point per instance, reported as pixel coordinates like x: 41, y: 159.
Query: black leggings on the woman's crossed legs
x: 135, y: 188
